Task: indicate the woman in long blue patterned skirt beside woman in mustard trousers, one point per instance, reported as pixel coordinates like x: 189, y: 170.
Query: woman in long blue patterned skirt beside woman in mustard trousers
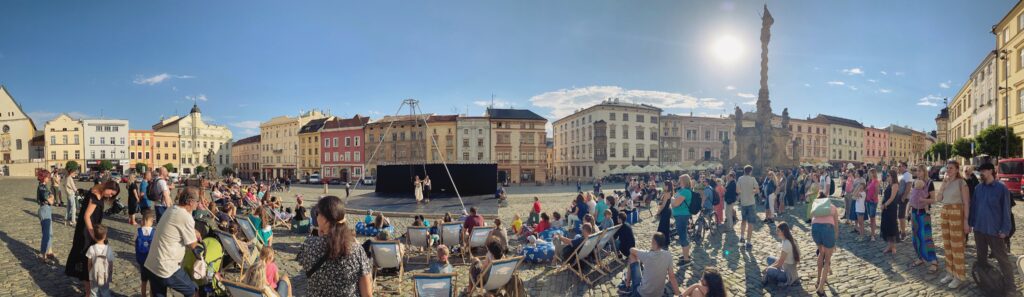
x: 921, y: 220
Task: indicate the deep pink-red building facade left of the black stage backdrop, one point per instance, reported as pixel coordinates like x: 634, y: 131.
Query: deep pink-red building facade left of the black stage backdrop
x: 343, y: 151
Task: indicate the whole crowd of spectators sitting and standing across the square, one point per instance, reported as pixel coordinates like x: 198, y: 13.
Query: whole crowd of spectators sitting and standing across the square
x: 335, y: 265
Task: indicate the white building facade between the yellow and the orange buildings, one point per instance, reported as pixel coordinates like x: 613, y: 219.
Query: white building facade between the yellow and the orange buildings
x: 107, y: 140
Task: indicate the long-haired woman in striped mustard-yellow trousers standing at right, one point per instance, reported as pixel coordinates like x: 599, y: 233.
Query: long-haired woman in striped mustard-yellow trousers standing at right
x: 956, y: 211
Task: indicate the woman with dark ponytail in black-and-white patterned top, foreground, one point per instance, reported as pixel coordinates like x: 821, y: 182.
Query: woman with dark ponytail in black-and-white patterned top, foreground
x: 333, y: 263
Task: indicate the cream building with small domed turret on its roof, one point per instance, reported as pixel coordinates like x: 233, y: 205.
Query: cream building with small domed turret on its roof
x: 201, y: 145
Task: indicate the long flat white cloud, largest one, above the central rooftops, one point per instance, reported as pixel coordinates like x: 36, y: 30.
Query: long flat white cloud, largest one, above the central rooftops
x: 566, y: 102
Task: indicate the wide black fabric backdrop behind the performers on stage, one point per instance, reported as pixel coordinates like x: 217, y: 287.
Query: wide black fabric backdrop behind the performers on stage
x: 474, y: 180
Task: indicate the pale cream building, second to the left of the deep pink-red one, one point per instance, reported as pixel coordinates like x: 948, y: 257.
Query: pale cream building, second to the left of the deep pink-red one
x: 280, y: 141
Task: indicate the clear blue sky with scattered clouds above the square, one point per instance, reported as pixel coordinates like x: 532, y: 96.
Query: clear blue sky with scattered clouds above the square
x: 246, y: 62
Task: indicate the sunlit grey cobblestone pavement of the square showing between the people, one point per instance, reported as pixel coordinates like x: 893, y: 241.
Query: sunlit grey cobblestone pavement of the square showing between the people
x: 860, y: 268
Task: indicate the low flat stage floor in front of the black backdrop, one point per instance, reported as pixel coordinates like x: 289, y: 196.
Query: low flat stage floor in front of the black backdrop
x: 486, y: 205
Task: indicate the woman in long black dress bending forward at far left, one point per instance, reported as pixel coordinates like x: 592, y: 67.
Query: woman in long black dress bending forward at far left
x: 91, y: 217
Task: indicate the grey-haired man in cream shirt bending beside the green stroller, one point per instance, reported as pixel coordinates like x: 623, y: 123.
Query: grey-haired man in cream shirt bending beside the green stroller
x: 174, y: 235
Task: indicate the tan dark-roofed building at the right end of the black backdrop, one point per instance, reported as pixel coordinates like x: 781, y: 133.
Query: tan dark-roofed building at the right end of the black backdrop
x: 520, y: 147
